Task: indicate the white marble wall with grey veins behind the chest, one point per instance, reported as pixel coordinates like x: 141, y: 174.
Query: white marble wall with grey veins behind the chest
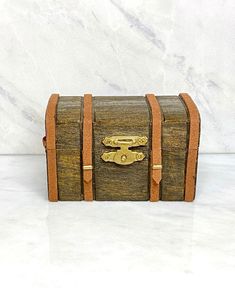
x: 113, y: 47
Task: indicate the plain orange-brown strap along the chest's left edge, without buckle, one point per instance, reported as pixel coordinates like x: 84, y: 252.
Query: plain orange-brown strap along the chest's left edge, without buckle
x: 49, y: 143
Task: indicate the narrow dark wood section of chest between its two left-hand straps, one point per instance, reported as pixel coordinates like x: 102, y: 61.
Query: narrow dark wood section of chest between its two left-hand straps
x: 68, y: 148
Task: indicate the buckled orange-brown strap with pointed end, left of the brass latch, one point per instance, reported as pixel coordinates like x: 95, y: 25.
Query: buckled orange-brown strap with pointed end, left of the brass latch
x: 87, y: 148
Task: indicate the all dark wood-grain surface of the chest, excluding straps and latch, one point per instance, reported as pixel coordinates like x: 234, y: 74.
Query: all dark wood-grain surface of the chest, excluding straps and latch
x: 122, y: 116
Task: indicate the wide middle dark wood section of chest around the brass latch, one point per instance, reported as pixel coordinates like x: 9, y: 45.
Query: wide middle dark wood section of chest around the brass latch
x: 120, y: 116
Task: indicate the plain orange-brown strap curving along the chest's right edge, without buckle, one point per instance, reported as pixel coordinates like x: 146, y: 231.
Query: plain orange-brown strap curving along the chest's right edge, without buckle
x: 194, y: 130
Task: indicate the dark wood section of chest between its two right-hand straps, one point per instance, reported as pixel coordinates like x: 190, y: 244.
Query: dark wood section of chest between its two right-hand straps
x: 175, y: 134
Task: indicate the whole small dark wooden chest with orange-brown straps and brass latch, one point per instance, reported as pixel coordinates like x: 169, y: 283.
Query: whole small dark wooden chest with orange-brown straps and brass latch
x: 122, y: 147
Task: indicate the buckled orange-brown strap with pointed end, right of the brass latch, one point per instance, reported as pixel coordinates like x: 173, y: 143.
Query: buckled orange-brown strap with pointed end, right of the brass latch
x: 156, y: 154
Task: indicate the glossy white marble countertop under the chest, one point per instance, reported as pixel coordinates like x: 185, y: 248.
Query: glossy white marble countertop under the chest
x: 189, y: 238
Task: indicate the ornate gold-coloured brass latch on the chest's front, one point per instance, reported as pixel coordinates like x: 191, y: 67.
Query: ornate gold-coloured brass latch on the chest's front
x: 124, y: 156
